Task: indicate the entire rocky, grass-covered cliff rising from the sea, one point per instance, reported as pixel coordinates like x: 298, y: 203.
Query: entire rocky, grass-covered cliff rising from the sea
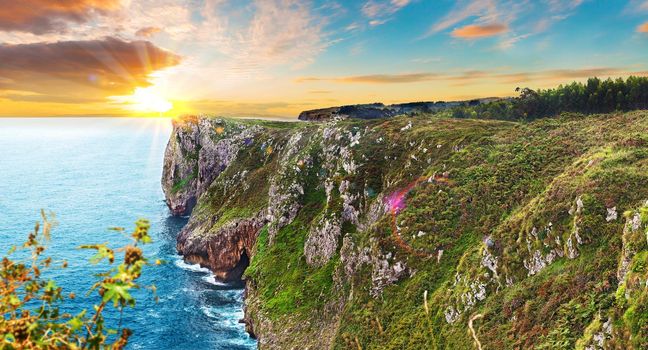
x: 420, y: 232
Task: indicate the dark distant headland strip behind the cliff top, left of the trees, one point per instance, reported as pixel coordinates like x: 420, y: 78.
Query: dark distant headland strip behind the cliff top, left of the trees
x: 379, y: 110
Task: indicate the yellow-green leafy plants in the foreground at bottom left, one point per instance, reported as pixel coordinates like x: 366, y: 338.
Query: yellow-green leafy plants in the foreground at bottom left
x: 32, y: 305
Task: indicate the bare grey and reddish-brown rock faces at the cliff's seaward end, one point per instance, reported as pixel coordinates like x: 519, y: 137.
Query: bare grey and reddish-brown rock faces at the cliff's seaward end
x: 196, y: 155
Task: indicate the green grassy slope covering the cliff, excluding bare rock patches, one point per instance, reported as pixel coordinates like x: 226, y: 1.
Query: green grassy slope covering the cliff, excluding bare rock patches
x: 499, y: 181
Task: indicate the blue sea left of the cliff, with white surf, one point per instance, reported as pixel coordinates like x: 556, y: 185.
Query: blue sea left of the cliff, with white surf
x: 97, y: 173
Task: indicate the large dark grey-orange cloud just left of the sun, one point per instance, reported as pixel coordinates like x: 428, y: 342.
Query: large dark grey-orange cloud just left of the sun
x: 81, y: 70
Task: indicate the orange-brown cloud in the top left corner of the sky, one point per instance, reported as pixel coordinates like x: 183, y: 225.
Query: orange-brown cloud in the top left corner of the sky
x: 43, y: 16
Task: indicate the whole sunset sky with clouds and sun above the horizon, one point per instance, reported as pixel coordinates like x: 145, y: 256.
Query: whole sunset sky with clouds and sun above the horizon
x: 275, y: 58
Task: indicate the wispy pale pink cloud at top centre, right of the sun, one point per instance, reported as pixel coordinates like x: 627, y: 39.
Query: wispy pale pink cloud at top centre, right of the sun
x: 268, y: 32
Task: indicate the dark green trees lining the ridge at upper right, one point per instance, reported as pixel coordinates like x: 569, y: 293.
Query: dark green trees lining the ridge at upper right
x: 594, y: 96
